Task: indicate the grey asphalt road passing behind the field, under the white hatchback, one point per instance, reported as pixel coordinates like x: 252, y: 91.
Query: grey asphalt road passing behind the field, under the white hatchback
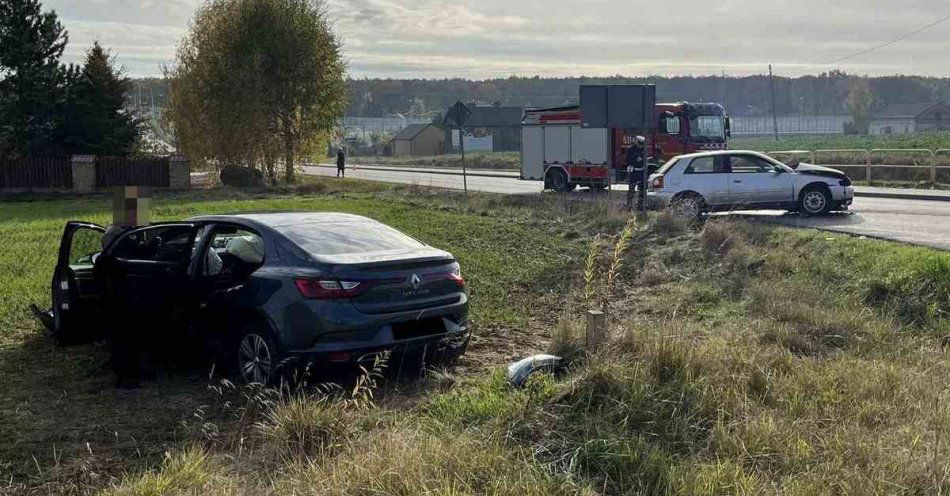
x: 919, y: 222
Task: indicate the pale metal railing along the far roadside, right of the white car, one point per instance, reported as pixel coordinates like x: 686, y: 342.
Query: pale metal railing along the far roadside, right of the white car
x: 917, y: 165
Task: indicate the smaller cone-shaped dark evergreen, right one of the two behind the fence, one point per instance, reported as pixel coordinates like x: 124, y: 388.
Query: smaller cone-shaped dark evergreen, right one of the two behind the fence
x: 96, y: 121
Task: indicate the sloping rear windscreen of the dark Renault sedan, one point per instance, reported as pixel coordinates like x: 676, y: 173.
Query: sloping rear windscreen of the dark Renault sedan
x: 338, y: 238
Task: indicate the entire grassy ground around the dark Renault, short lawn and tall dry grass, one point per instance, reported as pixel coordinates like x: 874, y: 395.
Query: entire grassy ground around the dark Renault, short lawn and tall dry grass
x: 742, y: 359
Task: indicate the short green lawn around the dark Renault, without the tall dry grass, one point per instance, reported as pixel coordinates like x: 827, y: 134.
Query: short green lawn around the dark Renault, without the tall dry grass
x: 58, y: 403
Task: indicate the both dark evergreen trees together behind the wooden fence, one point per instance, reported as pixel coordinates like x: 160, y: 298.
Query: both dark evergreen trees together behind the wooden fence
x: 48, y: 108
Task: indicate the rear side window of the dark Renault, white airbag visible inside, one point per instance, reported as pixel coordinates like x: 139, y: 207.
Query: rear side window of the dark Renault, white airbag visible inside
x: 233, y: 252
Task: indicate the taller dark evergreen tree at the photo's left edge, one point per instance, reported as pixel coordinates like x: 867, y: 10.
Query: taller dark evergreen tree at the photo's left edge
x: 32, y: 80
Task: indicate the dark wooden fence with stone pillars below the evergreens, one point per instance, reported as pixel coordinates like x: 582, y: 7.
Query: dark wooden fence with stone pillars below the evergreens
x: 85, y: 174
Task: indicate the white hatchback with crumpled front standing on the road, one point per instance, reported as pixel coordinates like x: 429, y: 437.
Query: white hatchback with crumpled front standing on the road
x: 744, y: 180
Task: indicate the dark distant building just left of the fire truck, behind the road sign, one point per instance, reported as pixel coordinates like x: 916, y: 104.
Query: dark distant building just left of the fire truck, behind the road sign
x: 489, y: 128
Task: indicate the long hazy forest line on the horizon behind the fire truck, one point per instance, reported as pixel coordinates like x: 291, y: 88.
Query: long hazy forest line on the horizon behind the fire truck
x: 822, y: 94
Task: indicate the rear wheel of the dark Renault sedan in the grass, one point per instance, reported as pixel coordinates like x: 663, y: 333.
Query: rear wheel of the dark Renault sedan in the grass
x: 257, y: 356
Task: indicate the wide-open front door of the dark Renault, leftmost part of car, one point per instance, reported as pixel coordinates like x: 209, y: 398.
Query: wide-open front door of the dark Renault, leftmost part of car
x: 75, y: 294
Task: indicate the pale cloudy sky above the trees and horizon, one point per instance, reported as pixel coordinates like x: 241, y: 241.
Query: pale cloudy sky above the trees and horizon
x: 481, y: 39
